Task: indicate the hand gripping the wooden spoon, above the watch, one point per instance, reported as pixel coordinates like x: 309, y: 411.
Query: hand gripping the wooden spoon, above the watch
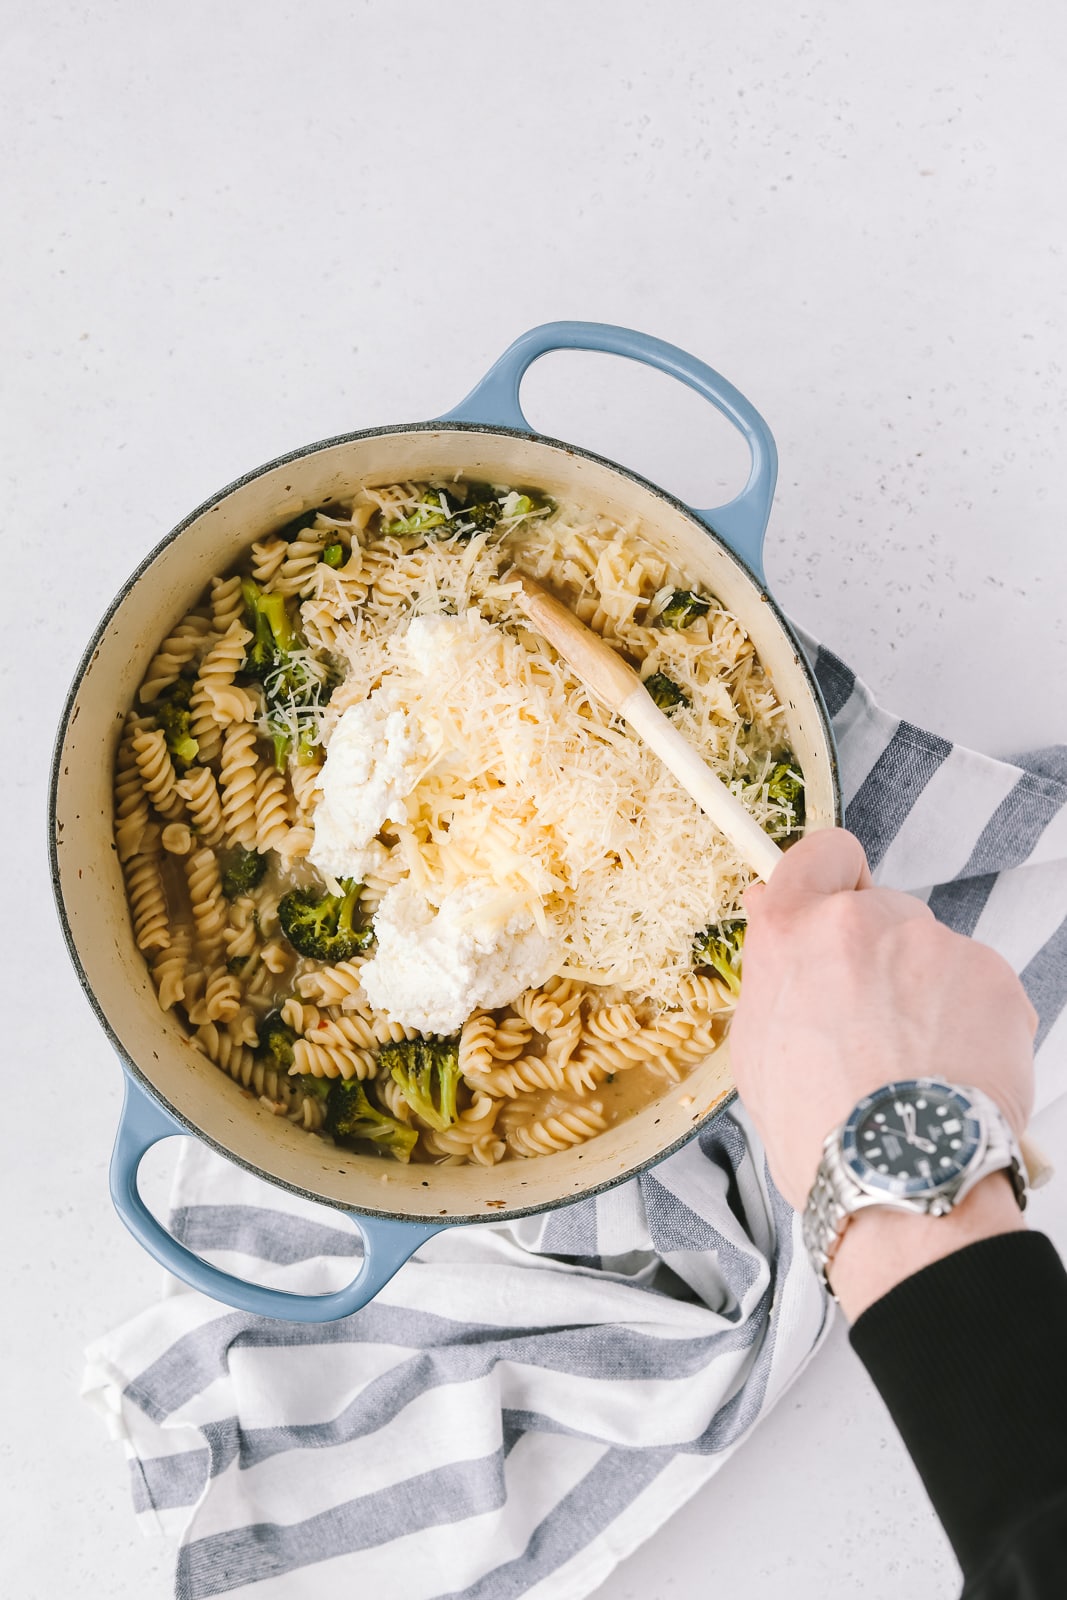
x: 849, y: 988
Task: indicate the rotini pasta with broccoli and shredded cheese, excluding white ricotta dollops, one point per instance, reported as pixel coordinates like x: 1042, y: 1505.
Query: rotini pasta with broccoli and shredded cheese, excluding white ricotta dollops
x: 220, y: 782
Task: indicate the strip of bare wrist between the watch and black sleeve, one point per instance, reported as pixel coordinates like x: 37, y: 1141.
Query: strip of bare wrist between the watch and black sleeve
x: 882, y: 1247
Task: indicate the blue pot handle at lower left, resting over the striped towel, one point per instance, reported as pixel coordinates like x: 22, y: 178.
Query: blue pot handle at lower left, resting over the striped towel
x: 386, y: 1244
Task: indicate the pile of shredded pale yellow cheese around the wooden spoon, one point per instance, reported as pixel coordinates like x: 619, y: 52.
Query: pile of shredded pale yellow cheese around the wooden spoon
x: 519, y: 777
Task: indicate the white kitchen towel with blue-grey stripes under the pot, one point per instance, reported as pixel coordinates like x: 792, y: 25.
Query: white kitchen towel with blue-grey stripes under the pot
x: 526, y: 1404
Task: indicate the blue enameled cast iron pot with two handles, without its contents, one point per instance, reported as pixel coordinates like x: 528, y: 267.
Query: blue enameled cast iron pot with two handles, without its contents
x: 170, y: 1087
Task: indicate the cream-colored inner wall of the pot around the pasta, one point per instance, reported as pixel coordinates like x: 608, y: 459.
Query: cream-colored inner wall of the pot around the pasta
x: 92, y: 884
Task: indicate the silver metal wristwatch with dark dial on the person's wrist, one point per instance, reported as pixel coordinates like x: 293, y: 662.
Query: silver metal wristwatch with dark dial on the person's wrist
x: 916, y: 1146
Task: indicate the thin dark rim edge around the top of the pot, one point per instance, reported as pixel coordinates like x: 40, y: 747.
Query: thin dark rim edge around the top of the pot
x: 529, y: 436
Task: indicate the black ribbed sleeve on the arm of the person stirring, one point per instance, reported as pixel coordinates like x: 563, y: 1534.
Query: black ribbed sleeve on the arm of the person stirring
x: 970, y: 1356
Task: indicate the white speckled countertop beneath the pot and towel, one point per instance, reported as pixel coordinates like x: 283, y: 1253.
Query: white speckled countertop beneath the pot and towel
x: 236, y: 230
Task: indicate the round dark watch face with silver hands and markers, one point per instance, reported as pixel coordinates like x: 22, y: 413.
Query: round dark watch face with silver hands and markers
x: 911, y: 1138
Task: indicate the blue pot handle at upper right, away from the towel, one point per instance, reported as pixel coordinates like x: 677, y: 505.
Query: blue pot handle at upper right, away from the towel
x: 741, y: 522
